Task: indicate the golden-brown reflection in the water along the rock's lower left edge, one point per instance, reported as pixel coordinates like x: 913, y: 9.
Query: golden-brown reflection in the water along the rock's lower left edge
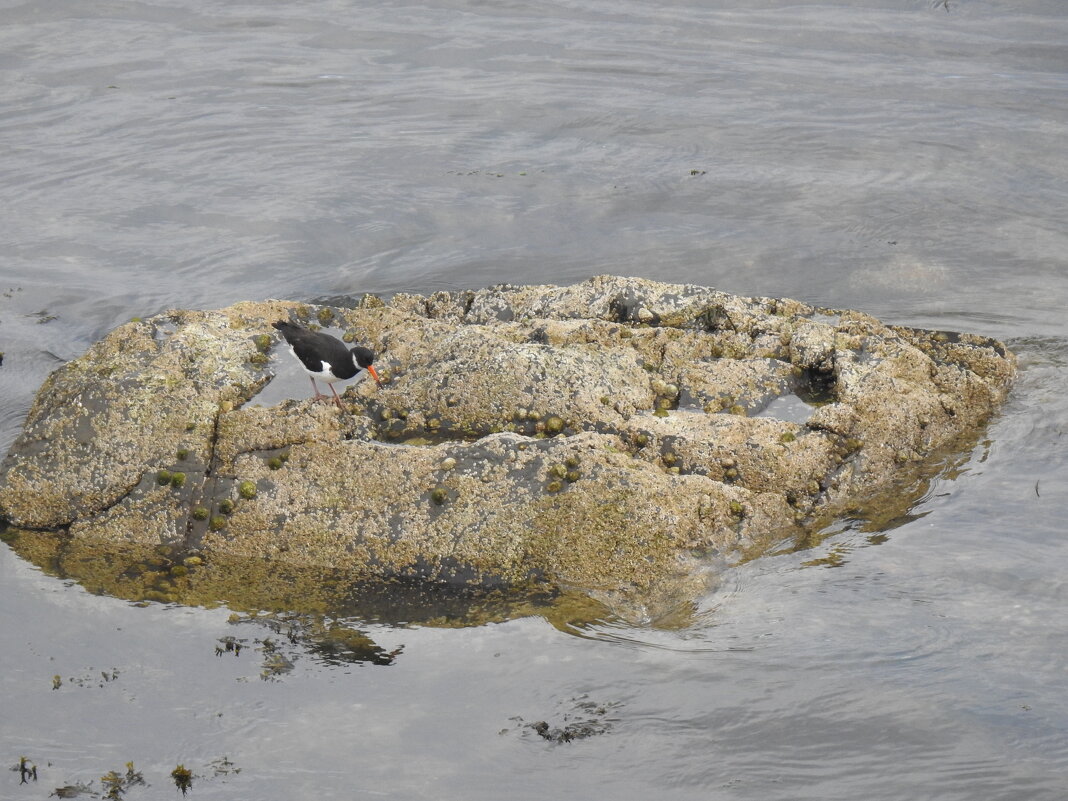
x: 319, y: 610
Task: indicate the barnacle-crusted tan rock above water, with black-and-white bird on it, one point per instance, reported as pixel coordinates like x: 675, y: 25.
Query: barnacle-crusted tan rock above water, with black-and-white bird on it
x: 609, y: 436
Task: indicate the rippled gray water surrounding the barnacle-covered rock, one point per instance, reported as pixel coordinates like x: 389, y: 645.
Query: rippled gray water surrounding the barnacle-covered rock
x: 903, y: 158
